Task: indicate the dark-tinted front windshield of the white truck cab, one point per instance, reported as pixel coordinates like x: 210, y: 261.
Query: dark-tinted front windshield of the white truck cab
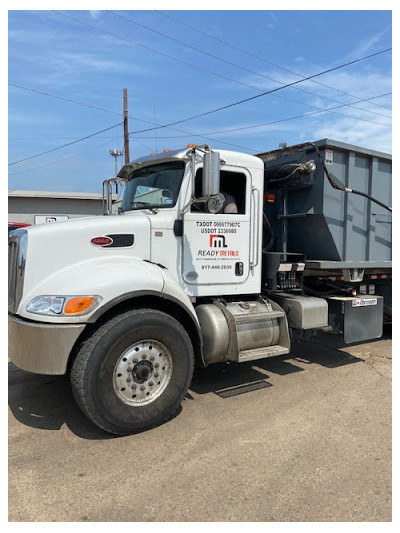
x: 153, y: 186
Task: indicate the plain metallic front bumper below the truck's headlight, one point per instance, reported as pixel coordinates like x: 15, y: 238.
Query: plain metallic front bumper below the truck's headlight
x: 41, y: 348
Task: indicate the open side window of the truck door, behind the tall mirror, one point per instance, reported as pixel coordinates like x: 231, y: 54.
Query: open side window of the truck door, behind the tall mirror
x: 232, y: 186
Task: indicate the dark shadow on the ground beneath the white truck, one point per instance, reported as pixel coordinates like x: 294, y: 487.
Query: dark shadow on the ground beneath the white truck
x: 46, y: 402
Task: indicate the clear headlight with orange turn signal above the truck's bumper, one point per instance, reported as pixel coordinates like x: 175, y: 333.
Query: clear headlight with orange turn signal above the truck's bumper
x: 62, y: 305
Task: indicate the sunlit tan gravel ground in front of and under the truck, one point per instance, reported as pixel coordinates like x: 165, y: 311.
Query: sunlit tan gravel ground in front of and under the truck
x: 310, y: 443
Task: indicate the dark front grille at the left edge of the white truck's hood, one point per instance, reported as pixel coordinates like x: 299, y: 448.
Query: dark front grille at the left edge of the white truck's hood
x: 17, y: 245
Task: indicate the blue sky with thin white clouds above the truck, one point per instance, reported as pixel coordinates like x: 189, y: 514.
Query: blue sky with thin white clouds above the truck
x: 83, y: 68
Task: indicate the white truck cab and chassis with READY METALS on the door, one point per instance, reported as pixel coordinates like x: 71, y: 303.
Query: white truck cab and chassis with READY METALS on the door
x: 194, y: 269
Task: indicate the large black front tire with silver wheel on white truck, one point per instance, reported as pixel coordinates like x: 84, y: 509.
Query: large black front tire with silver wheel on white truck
x: 133, y: 372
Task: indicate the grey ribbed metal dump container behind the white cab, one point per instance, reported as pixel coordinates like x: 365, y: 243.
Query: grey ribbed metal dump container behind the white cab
x: 324, y: 223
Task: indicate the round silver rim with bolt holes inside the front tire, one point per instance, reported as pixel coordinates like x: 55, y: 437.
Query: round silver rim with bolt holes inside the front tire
x: 142, y: 373
